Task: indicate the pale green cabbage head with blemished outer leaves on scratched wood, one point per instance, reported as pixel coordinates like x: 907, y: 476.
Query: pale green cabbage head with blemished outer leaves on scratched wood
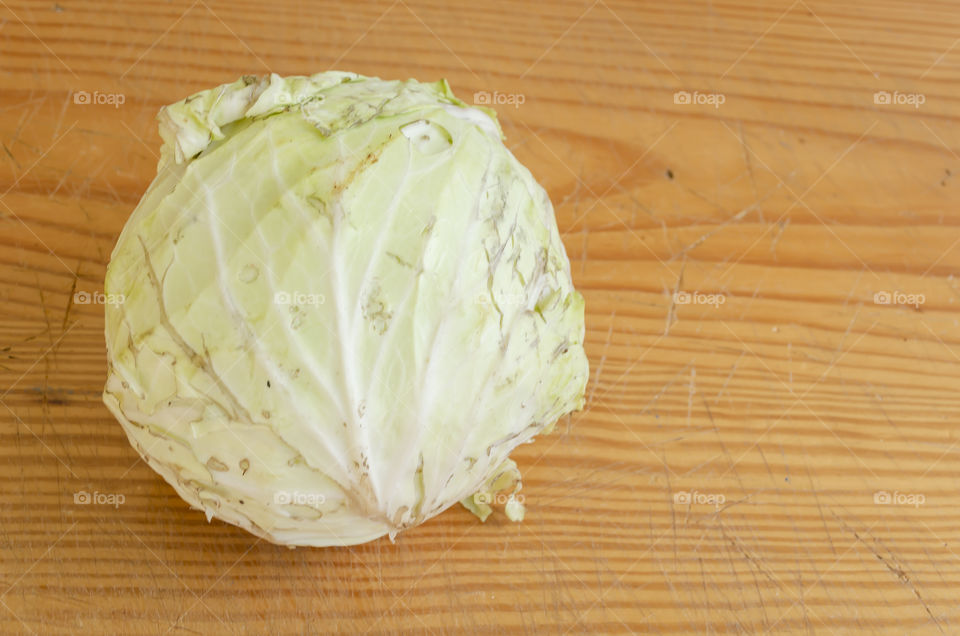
x: 345, y: 304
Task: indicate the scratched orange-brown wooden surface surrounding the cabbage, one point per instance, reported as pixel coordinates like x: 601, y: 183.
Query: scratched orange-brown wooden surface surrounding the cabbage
x: 729, y: 471
